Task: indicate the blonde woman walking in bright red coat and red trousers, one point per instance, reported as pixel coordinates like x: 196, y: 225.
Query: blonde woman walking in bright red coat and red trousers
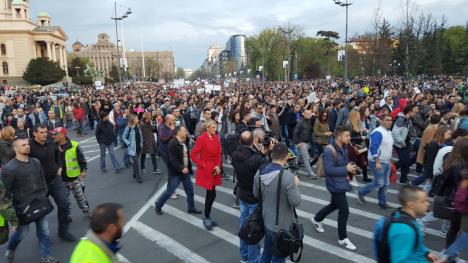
x: 206, y: 154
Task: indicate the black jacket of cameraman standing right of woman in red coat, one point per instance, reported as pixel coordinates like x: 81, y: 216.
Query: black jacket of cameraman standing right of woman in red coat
x: 247, y: 162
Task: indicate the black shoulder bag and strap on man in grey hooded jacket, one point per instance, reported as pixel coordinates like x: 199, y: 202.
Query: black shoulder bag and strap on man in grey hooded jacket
x: 287, y: 242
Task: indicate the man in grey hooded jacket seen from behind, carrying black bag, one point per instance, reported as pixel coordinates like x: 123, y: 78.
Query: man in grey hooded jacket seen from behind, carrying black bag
x: 277, y: 218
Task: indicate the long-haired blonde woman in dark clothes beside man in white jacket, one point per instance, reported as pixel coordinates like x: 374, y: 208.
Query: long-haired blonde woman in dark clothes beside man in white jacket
x: 358, y: 141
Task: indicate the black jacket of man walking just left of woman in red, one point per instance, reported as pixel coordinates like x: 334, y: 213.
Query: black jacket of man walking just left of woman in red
x: 176, y: 158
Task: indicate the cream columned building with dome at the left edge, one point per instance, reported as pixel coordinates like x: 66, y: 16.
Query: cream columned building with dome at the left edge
x: 21, y: 40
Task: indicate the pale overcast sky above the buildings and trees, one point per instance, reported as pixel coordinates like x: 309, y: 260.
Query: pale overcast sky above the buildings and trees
x: 189, y: 27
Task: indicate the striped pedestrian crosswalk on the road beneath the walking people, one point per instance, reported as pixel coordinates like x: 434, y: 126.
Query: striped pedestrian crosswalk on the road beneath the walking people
x: 181, y: 237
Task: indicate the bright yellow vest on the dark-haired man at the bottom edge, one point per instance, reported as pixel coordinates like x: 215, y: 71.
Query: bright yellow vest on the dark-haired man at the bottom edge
x: 86, y: 251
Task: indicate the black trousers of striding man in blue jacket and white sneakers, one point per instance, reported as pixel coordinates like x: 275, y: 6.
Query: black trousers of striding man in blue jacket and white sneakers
x: 338, y: 201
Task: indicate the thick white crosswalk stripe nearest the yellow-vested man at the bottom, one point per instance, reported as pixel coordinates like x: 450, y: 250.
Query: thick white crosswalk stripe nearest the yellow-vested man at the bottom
x: 172, y: 246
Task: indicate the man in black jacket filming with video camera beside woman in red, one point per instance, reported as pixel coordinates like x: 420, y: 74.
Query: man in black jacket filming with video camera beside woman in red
x: 246, y: 161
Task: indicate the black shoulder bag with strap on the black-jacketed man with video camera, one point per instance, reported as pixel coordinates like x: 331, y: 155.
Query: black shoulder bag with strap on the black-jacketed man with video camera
x: 253, y: 229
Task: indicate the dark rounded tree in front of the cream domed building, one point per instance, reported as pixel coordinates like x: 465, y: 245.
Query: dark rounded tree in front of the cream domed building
x: 43, y: 71
